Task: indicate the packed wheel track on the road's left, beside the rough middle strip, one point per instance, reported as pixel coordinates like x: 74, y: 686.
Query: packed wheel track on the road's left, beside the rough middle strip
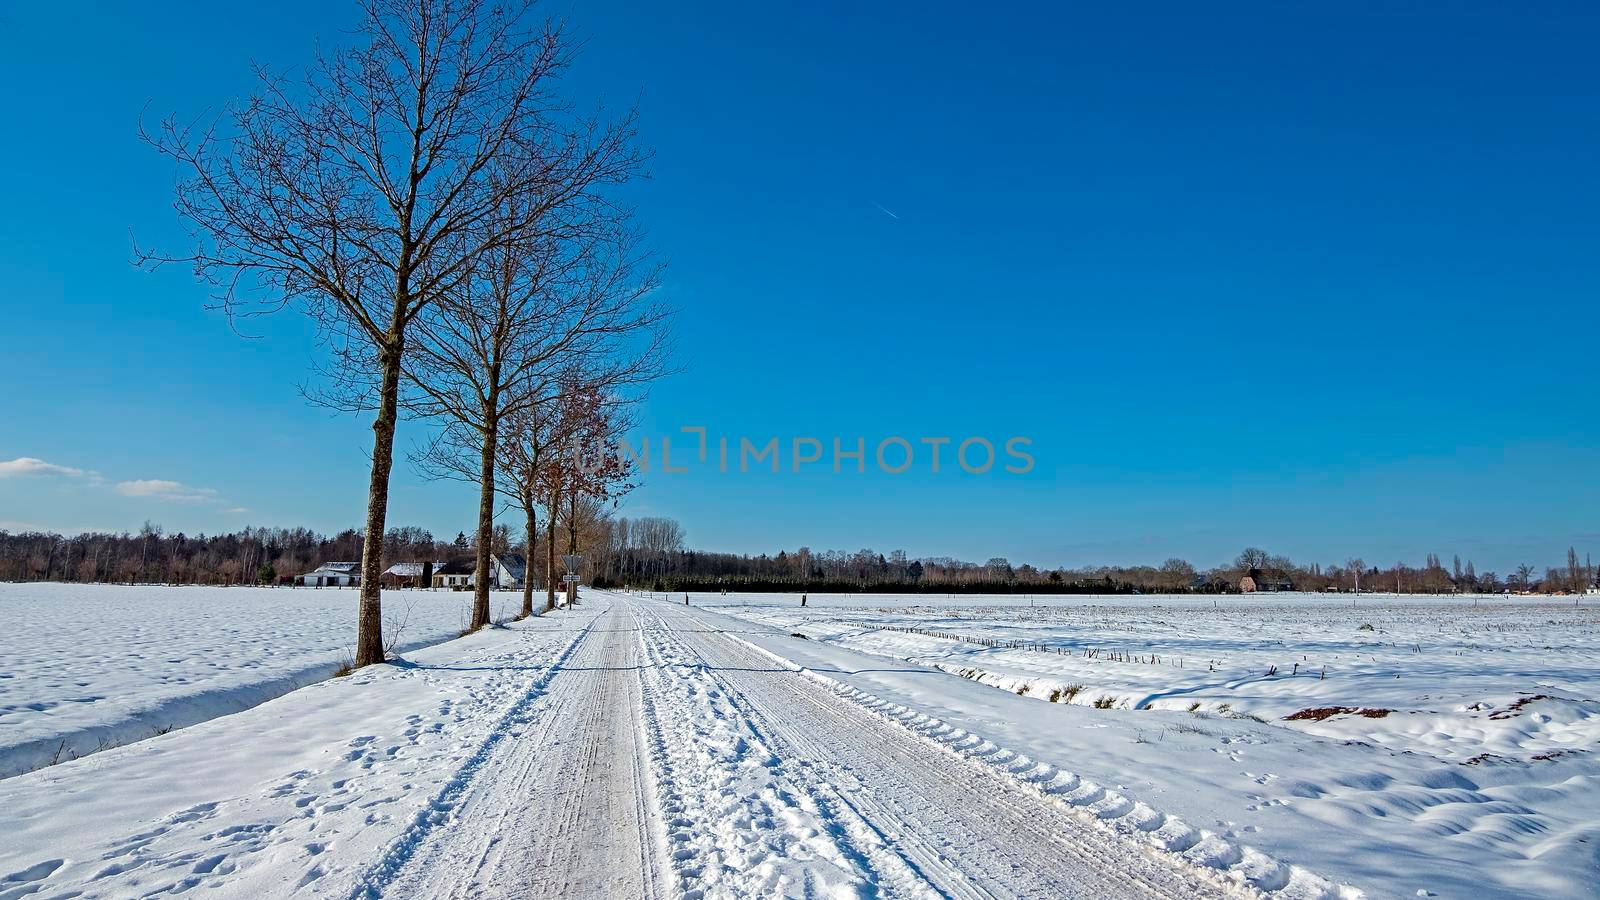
x: 567, y: 811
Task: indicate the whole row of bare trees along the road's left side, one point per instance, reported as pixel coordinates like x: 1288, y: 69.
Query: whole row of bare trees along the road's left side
x: 455, y: 228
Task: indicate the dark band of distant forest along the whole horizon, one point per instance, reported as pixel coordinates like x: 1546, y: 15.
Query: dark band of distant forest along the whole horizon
x: 650, y: 553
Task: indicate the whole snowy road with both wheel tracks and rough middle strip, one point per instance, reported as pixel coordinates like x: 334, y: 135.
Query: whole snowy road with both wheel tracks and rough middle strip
x: 770, y: 785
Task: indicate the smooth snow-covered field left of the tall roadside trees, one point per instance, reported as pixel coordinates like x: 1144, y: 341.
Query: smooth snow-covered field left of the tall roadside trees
x: 89, y: 667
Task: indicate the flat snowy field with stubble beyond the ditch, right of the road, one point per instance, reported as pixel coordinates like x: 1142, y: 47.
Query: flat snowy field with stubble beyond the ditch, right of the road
x: 1462, y: 680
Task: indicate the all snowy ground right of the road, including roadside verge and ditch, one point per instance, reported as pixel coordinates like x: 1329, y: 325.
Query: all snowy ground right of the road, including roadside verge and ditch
x: 1481, y: 779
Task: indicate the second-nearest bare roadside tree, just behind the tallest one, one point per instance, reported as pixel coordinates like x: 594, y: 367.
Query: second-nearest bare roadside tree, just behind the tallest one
x: 574, y: 295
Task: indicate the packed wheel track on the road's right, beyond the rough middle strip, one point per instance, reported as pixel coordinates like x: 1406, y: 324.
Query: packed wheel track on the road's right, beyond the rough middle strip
x: 942, y: 822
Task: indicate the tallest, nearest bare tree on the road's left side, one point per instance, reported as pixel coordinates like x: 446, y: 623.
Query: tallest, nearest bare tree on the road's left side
x: 364, y: 193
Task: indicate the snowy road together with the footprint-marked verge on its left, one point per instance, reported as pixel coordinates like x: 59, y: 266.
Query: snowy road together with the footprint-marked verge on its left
x: 625, y: 750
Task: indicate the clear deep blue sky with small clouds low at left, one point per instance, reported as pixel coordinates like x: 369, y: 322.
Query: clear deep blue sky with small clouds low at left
x: 1310, y: 279
